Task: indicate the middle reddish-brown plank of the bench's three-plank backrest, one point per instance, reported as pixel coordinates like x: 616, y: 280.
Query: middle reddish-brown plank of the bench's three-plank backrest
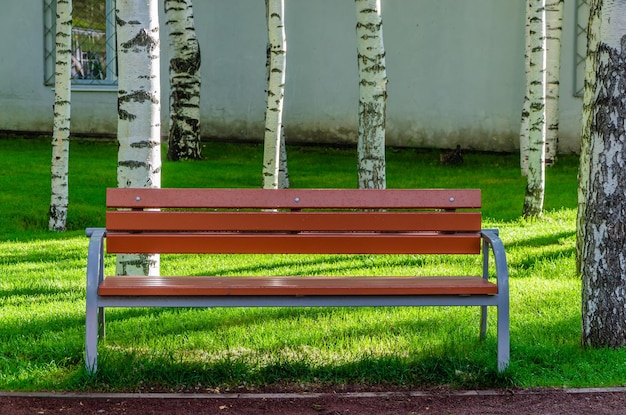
x: 293, y: 221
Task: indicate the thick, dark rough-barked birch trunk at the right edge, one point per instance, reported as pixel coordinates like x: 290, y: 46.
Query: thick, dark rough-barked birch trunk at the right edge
x: 604, y: 256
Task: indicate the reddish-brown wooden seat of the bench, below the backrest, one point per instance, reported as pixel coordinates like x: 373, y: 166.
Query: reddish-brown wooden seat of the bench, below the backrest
x: 294, y: 286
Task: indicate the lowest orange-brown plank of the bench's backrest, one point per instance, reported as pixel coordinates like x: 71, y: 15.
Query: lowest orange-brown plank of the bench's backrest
x: 304, y: 243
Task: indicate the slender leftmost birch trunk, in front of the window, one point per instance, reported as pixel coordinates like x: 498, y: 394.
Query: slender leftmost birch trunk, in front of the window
x: 59, y: 199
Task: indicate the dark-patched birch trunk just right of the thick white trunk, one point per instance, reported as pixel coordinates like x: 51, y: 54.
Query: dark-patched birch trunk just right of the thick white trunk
x: 185, y: 82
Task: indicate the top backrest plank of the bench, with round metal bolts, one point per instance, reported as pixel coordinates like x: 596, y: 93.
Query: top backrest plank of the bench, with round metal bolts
x: 295, y: 198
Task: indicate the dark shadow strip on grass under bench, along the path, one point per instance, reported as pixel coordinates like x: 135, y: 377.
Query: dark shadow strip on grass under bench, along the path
x: 167, y: 372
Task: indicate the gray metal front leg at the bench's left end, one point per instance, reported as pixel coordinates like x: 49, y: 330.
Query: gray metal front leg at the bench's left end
x: 94, y: 316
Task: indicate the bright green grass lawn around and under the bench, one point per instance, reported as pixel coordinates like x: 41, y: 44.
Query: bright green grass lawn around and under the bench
x: 42, y: 289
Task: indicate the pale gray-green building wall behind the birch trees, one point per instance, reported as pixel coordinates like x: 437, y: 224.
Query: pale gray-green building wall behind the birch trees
x: 455, y: 68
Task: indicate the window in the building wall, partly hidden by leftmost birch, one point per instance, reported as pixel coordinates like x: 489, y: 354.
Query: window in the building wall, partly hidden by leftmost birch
x: 93, y: 42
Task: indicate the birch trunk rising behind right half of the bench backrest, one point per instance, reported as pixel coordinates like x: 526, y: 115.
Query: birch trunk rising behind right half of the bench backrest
x: 372, y: 95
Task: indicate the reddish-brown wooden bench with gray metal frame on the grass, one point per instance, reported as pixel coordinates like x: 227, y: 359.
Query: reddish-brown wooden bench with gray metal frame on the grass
x: 290, y: 221
